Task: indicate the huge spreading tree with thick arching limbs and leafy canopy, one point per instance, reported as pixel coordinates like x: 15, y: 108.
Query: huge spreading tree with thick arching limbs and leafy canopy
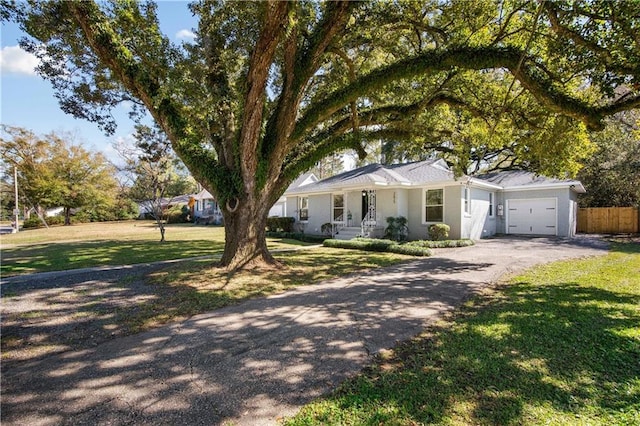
x: 268, y: 89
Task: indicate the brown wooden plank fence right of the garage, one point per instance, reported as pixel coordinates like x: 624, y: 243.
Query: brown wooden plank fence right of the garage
x: 608, y: 220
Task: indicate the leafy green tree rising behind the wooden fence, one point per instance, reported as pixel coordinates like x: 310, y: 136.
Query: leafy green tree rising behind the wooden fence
x: 611, y: 175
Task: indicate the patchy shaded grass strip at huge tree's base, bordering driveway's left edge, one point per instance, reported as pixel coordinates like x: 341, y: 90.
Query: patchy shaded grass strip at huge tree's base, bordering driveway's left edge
x: 62, y: 318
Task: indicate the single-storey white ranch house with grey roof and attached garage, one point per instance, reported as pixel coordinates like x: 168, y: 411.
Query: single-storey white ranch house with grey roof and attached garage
x: 358, y: 202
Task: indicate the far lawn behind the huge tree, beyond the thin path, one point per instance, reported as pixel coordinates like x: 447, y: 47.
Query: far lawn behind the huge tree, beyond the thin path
x: 113, y: 243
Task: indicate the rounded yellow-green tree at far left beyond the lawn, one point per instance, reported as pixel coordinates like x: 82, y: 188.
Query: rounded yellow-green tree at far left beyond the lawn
x: 53, y: 172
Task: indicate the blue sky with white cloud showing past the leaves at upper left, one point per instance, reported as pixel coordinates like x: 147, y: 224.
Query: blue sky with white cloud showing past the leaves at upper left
x: 28, y: 101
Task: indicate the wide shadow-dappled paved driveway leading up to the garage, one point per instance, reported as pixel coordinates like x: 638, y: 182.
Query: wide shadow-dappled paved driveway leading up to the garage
x: 255, y: 362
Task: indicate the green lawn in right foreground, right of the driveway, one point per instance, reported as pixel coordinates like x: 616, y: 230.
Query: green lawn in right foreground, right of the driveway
x: 558, y: 345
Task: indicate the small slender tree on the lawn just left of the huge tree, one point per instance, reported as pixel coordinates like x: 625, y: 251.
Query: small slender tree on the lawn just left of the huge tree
x: 155, y: 173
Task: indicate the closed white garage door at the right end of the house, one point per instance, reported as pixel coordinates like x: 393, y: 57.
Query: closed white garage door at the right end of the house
x: 536, y: 216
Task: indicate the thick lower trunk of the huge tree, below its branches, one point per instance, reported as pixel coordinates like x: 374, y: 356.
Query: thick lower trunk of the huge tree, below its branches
x: 245, y: 235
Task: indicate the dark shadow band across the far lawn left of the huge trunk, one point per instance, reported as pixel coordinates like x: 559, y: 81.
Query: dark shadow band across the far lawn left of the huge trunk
x: 74, y: 255
